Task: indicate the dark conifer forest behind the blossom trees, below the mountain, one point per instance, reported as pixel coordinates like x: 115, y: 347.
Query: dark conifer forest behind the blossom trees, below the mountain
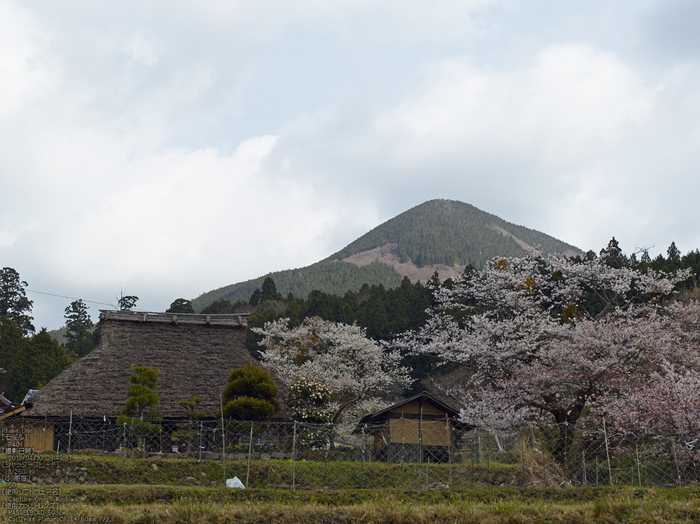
x: 385, y: 313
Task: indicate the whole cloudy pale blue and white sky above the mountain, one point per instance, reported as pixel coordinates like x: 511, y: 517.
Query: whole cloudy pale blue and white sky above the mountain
x: 166, y: 148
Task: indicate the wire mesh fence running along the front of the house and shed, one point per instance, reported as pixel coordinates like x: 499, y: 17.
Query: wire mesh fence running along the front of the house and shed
x: 399, y: 453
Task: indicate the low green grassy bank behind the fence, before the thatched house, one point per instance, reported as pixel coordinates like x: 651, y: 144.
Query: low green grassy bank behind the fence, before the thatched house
x: 90, y: 469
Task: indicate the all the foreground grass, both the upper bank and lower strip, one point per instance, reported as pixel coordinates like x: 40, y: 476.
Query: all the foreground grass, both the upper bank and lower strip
x: 110, y: 489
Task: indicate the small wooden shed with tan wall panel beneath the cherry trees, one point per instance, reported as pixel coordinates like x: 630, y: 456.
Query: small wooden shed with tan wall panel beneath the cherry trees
x: 418, y: 429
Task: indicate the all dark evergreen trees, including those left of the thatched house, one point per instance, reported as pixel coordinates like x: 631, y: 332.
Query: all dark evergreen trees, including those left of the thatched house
x: 29, y: 359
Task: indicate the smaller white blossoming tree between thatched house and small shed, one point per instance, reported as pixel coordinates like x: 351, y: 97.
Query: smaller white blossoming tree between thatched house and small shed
x: 340, y: 356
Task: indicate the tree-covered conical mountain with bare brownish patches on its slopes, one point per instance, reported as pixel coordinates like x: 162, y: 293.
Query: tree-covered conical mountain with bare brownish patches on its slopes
x: 439, y: 235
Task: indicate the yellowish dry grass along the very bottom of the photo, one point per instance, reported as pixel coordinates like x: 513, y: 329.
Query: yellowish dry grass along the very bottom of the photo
x: 607, y: 506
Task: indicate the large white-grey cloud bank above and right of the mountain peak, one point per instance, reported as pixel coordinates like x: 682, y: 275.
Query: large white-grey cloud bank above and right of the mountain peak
x: 577, y: 143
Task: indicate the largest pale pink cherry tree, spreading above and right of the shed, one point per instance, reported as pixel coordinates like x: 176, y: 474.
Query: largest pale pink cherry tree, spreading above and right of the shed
x: 541, y: 338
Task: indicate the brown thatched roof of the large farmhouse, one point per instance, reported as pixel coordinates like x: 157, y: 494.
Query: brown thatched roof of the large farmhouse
x: 195, y: 354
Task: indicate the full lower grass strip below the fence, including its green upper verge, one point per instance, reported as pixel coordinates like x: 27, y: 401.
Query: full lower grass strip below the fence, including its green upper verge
x: 181, y: 504
